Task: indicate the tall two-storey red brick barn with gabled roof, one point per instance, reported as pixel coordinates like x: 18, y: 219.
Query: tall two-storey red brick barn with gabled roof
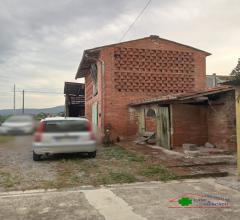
x: 119, y: 74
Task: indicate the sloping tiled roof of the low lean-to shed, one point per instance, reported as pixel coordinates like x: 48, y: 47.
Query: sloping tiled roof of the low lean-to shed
x: 182, y: 96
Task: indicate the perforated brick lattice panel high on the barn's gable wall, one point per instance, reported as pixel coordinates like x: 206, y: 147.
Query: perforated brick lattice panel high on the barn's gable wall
x: 146, y: 70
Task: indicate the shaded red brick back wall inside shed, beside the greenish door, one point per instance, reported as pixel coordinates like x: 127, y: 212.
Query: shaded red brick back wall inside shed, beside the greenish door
x: 189, y: 123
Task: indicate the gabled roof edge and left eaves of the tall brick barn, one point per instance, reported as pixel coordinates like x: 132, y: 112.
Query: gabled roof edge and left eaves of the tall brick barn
x: 91, y: 55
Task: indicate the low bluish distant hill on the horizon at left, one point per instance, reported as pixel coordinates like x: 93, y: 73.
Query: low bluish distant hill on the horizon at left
x: 34, y: 111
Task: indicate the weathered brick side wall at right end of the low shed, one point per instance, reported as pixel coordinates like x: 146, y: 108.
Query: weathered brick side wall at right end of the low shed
x: 222, y: 122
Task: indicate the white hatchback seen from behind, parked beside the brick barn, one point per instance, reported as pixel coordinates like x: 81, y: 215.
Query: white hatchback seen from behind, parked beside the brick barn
x: 64, y: 135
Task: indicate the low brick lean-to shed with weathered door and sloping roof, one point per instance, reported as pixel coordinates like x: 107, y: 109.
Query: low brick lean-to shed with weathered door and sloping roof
x: 194, y: 117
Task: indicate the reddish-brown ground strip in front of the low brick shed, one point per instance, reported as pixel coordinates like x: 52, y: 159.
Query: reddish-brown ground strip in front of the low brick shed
x: 212, y: 164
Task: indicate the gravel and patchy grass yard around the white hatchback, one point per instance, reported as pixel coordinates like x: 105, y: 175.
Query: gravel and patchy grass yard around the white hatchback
x: 112, y: 165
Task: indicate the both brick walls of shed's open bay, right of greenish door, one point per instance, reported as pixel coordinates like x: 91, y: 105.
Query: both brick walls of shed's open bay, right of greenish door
x: 197, y: 124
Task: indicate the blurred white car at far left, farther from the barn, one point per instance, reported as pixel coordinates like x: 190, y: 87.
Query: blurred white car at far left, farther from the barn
x: 18, y: 124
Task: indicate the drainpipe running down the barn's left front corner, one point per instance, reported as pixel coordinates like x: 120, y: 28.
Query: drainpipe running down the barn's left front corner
x: 103, y: 88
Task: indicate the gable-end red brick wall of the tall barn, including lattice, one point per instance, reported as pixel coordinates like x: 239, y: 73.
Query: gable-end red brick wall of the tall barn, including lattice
x: 144, y: 69
